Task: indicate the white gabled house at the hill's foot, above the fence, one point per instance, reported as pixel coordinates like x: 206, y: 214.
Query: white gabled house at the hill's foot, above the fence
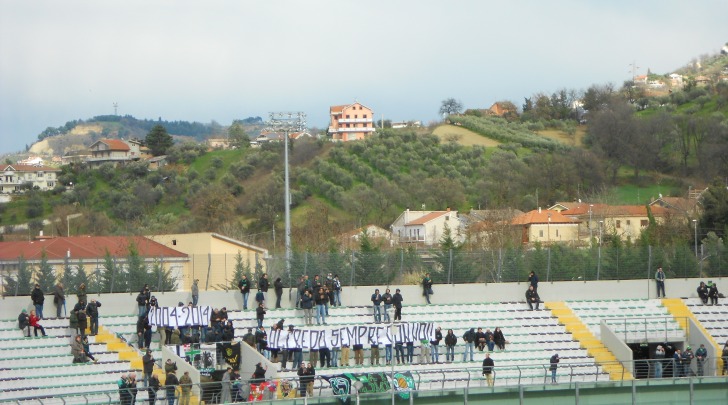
x: 425, y: 227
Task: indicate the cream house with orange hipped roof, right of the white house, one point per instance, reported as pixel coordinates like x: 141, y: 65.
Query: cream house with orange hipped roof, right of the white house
x: 546, y: 227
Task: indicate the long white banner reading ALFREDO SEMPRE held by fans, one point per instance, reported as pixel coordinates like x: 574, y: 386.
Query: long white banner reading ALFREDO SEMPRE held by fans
x: 351, y: 335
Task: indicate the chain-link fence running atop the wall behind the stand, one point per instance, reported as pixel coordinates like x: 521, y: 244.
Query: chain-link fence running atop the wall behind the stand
x: 404, y: 266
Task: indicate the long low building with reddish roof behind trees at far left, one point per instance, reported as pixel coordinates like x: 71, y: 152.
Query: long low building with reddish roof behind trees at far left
x: 90, y: 252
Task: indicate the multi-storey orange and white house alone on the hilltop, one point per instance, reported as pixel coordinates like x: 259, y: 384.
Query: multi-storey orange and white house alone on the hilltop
x: 351, y: 122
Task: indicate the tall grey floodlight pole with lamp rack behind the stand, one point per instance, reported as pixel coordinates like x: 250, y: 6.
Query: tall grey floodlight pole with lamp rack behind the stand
x: 287, y: 122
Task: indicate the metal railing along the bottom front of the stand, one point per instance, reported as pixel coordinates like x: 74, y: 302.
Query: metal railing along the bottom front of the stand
x: 569, y: 376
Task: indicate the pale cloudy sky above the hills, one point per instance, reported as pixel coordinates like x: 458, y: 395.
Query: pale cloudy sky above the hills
x: 230, y: 59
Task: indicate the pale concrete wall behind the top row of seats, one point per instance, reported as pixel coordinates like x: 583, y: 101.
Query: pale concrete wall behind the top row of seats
x: 125, y: 304
